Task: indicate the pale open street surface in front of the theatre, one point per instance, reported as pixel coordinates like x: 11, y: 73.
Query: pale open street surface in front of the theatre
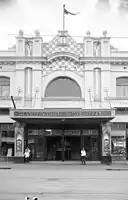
x: 59, y: 181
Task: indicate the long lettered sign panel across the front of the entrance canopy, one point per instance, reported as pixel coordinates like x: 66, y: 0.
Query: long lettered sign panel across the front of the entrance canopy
x: 60, y: 114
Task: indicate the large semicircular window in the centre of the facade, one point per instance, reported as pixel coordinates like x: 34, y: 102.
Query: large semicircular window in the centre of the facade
x: 63, y: 87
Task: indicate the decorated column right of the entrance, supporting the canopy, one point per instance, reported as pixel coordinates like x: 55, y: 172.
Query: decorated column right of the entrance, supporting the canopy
x: 106, y: 140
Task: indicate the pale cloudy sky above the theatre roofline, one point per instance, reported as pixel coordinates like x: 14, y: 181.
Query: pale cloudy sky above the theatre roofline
x: 47, y: 17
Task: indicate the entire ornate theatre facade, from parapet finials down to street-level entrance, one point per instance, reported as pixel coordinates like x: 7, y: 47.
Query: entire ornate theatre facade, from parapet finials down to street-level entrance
x: 60, y: 96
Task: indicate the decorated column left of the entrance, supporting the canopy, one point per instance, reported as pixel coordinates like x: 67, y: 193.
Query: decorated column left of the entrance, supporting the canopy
x: 19, y: 143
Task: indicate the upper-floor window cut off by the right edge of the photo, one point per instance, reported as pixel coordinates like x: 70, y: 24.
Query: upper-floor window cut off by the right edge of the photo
x: 122, y: 87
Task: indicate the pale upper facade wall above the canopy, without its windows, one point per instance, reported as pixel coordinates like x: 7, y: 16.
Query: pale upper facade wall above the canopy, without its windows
x: 72, y: 60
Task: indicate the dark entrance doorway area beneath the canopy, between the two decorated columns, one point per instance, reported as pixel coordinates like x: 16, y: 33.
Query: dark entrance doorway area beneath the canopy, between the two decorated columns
x: 58, y: 144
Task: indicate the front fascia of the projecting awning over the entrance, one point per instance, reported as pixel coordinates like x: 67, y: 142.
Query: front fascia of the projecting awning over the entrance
x: 62, y: 113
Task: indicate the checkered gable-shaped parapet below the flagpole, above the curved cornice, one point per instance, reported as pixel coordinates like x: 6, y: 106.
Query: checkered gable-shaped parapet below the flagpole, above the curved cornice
x: 63, y: 42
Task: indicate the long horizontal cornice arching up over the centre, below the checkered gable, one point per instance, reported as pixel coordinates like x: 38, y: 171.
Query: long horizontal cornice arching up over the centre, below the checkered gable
x: 64, y: 55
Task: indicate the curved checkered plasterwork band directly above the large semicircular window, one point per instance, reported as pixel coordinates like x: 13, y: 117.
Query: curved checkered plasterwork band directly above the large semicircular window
x: 63, y: 64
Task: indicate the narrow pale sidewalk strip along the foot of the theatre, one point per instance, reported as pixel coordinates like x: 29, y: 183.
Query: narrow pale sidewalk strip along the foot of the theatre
x: 90, y: 165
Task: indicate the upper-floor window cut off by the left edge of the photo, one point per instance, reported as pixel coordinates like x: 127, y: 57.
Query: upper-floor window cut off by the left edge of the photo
x: 4, y: 86
